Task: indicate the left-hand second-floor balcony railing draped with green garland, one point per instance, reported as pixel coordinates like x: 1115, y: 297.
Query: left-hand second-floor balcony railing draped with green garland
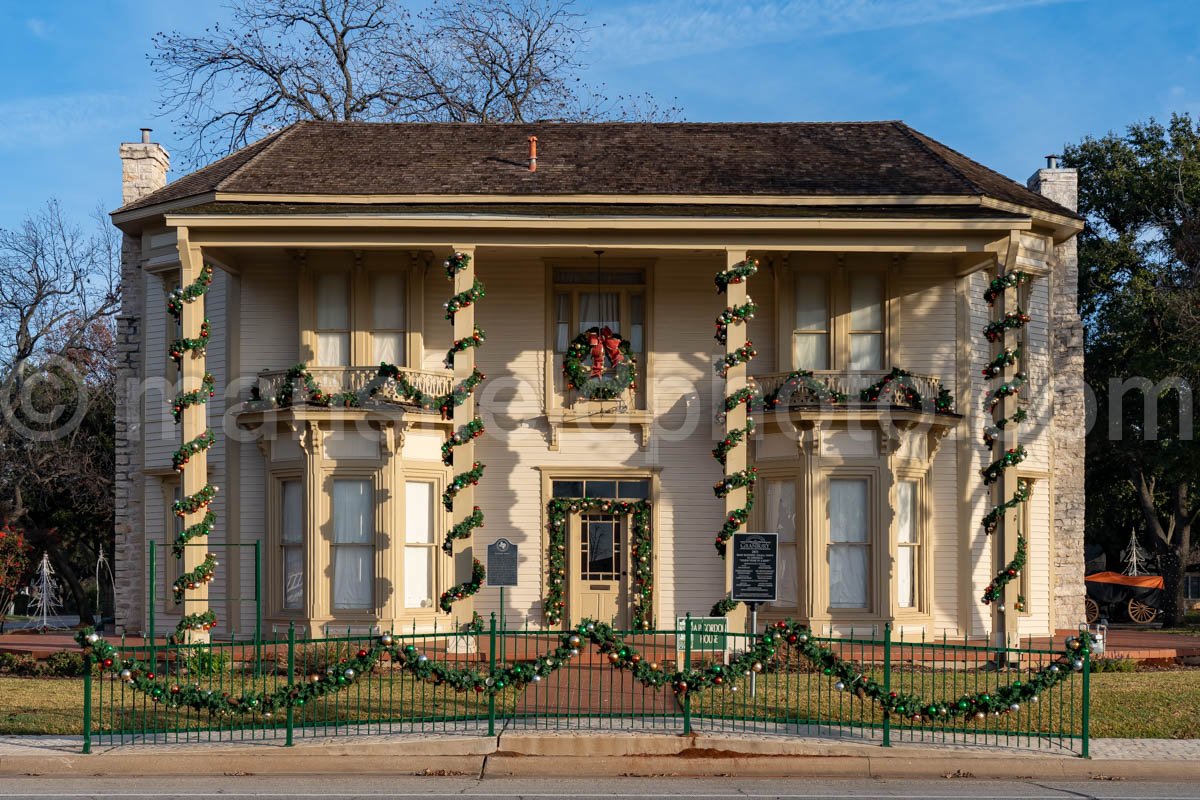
x: 340, y: 383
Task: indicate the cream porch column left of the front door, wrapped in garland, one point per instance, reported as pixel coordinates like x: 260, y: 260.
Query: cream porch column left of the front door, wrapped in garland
x: 465, y: 454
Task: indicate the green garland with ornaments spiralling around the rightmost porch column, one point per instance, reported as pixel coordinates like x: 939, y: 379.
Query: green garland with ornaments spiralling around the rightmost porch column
x: 1007, y: 358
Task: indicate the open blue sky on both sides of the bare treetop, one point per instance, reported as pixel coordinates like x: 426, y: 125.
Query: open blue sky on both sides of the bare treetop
x: 1004, y: 81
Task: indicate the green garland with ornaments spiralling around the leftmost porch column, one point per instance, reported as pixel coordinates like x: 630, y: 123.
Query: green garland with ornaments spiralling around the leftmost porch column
x: 202, y: 500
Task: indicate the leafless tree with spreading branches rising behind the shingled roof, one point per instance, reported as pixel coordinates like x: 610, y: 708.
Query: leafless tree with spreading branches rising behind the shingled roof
x: 458, y: 61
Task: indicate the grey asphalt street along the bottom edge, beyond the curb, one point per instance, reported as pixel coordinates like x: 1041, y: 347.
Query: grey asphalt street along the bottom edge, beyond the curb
x: 350, y: 787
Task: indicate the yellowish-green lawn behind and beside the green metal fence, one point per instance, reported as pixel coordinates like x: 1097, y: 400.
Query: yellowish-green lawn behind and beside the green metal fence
x: 1147, y: 705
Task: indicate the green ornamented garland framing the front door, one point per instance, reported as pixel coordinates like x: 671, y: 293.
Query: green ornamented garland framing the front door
x: 641, y: 555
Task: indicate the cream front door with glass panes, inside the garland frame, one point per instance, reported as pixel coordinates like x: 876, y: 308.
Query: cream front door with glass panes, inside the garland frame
x: 599, y: 548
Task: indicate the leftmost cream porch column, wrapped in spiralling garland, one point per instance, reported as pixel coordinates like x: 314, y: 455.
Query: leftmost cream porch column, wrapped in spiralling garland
x: 194, y: 424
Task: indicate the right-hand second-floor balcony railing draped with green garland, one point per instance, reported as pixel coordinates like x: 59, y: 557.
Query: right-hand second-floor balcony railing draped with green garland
x: 854, y: 390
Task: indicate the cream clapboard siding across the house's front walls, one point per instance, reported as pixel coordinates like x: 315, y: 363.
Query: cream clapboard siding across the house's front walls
x: 683, y: 304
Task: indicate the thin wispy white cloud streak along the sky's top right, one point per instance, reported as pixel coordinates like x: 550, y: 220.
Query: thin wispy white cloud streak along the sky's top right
x: 665, y: 29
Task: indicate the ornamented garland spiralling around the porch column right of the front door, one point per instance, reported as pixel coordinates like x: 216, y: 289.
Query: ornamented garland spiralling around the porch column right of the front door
x: 746, y: 479
